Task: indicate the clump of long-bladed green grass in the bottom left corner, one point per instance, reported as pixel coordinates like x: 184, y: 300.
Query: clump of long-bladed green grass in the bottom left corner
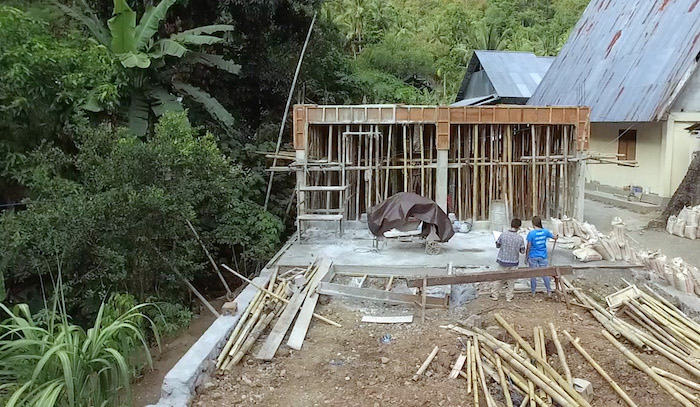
x: 45, y: 360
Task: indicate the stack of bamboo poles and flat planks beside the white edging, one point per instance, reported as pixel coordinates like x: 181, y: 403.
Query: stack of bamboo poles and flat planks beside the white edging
x: 276, y: 305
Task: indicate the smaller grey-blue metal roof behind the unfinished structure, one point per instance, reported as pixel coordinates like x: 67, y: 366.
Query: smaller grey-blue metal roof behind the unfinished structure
x: 513, y: 74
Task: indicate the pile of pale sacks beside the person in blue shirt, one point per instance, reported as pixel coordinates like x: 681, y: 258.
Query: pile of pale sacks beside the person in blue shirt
x: 591, y: 245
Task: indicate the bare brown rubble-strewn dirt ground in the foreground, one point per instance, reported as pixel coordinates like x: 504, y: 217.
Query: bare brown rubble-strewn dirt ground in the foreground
x: 344, y: 366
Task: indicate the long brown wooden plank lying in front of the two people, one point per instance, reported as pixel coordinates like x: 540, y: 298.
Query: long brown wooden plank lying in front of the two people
x: 494, y: 275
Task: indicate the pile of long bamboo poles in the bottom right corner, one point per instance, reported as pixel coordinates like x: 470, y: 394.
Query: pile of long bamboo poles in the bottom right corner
x: 658, y: 326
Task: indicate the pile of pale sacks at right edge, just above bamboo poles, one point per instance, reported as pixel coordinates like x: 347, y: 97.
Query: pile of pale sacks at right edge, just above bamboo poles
x: 679, y: 274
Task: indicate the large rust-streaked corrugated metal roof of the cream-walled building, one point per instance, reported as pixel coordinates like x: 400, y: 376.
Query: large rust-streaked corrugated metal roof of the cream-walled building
x: 626, y: 59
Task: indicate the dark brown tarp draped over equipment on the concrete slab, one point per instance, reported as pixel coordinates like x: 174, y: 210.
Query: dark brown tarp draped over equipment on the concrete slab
x: 398, y: 209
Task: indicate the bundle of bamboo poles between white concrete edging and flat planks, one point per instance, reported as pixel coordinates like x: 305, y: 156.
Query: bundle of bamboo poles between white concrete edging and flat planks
x: 261, y: 311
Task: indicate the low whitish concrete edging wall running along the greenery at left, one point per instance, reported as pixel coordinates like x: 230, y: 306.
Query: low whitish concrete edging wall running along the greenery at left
x: 181, y: 382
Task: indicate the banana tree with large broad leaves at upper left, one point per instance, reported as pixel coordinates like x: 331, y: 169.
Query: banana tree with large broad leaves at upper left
x: 143, y: 55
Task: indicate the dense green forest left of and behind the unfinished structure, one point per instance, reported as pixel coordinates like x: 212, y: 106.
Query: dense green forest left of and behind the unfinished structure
x: 110, y: 139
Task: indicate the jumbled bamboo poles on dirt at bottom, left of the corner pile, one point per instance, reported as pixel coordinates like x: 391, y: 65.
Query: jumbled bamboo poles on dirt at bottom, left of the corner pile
x: 522, y: 372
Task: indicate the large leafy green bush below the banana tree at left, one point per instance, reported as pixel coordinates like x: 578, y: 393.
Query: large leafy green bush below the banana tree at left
x: 125, y: 200
